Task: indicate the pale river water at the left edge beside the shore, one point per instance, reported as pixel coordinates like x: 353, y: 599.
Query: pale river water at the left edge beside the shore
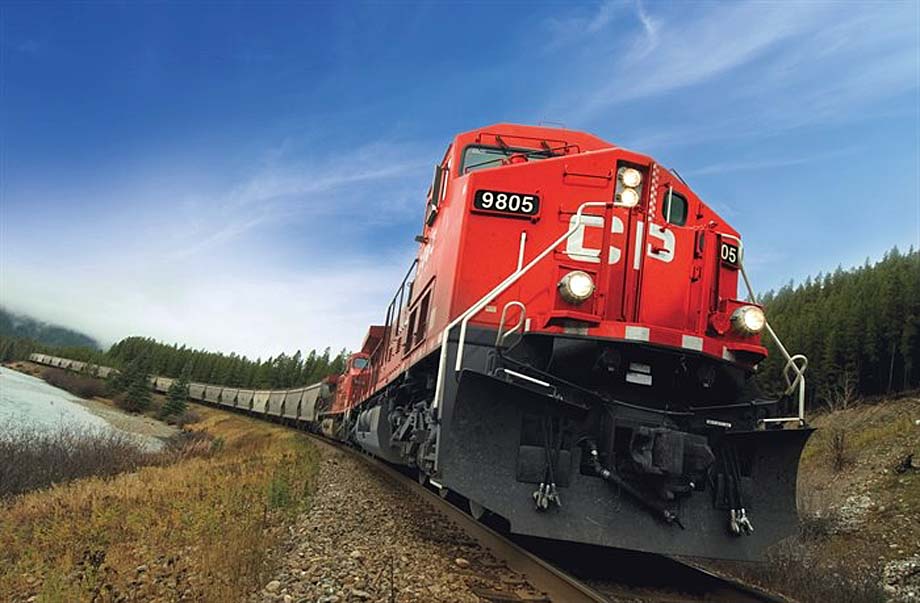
x: 29, y: 402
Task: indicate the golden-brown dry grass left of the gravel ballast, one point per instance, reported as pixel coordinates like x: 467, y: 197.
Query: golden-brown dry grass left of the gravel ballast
x: 199, y: 529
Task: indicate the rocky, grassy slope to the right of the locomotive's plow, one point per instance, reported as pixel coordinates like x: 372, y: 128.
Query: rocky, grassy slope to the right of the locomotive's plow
x: 859, y: 497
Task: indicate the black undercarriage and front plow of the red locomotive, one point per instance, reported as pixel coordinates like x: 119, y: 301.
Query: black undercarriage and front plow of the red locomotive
x: 610, y: 443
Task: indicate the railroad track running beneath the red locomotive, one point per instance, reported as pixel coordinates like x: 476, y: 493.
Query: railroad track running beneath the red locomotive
x: 551, y: 567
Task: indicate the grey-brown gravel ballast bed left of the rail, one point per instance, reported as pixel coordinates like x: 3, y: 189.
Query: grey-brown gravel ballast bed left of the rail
x: 366, y: 538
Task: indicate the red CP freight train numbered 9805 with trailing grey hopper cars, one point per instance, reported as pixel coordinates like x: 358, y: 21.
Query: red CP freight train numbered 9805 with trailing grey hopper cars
x: 569, y: 352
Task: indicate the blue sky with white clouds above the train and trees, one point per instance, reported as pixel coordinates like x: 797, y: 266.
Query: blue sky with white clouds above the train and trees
x: 249, y: 177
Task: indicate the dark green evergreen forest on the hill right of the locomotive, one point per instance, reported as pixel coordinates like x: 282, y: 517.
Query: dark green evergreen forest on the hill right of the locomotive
x: 859, y: 328
